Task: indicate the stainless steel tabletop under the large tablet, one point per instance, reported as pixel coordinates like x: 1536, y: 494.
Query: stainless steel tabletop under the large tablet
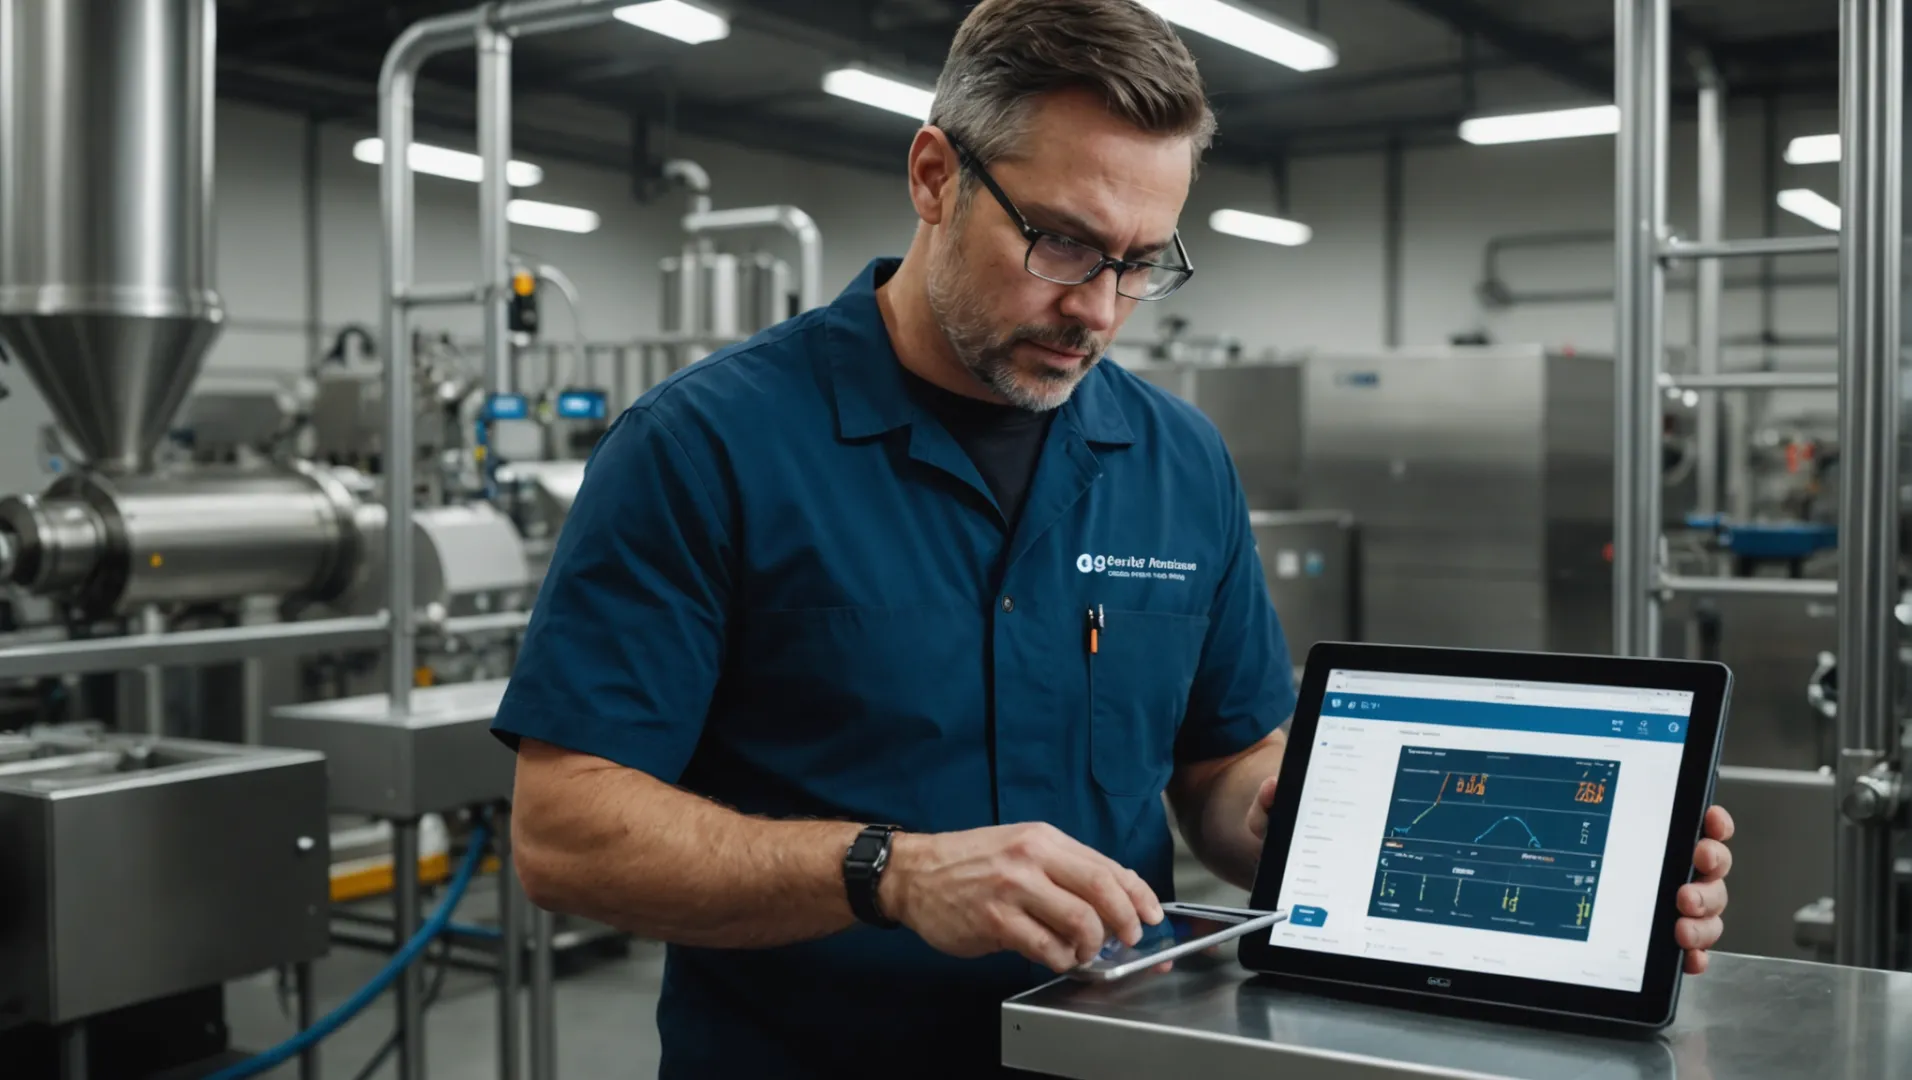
x: 1747, y: 1020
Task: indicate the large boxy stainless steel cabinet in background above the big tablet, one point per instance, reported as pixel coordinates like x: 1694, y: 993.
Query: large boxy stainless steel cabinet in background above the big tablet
x: 1483, y: 481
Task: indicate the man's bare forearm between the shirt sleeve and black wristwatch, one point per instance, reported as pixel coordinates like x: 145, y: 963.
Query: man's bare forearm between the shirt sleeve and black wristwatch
x: 626, y: 850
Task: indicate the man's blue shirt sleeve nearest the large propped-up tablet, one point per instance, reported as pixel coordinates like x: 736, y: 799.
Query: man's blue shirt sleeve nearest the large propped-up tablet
x: 1246, y: 683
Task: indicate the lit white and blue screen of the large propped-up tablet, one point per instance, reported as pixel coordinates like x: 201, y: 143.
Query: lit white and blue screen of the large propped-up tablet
x: 1483, y: 825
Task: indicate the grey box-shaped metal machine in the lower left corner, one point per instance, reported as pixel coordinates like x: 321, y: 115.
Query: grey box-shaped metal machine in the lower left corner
x: 141, y: 871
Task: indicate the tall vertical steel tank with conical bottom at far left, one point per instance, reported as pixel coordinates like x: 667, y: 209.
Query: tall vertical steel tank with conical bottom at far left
x: 106, y: 211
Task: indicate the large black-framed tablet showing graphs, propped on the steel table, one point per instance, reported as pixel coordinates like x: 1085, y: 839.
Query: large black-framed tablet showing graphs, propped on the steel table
x: 1496, y: 831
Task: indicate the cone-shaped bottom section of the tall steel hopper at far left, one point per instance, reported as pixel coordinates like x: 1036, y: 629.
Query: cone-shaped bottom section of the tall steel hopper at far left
x: 112, y: 381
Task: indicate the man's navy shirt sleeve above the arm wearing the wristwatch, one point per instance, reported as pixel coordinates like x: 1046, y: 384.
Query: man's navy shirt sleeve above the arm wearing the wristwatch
x: 624, y: 647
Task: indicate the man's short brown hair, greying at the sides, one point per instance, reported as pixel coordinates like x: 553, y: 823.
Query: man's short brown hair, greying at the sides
x: 1010, y: 53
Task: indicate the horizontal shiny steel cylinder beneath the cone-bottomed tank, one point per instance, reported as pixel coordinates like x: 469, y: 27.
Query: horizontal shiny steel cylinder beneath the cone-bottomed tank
x: 116, y: 544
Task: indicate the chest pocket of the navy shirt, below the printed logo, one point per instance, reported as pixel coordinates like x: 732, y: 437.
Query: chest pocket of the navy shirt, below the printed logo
x: 1141, y: 676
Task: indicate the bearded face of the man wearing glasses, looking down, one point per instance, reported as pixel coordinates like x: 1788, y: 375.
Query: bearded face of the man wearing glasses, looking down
x: 1093, y: 179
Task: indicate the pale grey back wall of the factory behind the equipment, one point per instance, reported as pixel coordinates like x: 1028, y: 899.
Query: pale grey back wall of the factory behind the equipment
x: 1326, y: 295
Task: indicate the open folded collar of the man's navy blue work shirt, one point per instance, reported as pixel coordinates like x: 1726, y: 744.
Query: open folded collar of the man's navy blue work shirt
x: 873, y: 397
